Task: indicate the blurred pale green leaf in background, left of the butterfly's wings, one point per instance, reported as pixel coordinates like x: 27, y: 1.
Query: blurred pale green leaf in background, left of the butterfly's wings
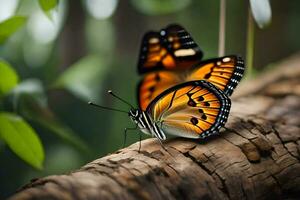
x: 84, y: 78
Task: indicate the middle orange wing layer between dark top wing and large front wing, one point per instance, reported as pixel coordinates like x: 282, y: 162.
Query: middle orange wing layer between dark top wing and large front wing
x: 224, y: 72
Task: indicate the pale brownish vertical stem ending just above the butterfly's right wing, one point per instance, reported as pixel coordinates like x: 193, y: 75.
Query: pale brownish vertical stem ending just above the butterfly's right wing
x: 222, y: 28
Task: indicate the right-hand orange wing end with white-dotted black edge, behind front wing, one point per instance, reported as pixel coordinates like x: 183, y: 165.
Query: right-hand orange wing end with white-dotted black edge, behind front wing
x: 224, y: 72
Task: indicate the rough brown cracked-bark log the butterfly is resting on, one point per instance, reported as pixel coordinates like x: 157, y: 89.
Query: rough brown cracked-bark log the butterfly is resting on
x: 256, y: 157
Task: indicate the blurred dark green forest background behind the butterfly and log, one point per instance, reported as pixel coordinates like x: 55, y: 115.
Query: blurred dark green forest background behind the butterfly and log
x: 80, y: 49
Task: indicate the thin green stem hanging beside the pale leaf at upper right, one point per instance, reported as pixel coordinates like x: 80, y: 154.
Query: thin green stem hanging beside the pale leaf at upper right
x: 250, y: 43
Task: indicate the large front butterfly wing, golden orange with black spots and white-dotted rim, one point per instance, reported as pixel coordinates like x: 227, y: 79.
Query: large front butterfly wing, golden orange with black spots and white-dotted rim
x: 194, y: 109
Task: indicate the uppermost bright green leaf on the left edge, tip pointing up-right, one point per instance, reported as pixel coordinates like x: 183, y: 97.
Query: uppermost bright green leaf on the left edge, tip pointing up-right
x: 10, y: 26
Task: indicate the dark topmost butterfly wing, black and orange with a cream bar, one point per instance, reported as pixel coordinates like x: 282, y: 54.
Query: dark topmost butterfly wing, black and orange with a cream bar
x: 171, y: 48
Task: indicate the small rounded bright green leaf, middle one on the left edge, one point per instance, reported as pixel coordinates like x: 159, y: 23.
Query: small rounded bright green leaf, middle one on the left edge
x: 8, y: 78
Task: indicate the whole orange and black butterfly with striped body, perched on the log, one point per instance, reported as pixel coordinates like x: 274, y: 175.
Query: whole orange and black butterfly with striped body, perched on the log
x: 180, y: 94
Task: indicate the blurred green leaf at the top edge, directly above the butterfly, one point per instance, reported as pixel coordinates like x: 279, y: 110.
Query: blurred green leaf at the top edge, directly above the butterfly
x: 158, y: 7
